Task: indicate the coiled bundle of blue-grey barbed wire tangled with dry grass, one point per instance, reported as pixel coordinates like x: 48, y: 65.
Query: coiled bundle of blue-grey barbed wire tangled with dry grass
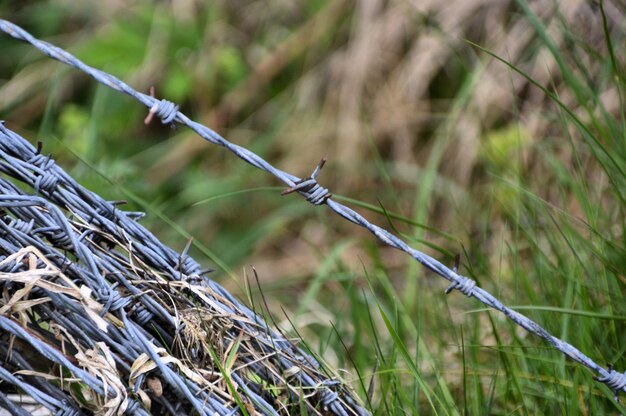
x: 124, y: 324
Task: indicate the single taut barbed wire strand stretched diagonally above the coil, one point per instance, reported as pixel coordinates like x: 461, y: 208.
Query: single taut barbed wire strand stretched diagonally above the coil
x: 314, y: 193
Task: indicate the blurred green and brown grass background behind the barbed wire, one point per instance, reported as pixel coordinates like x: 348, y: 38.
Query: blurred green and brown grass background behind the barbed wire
x: 516, y: 163
